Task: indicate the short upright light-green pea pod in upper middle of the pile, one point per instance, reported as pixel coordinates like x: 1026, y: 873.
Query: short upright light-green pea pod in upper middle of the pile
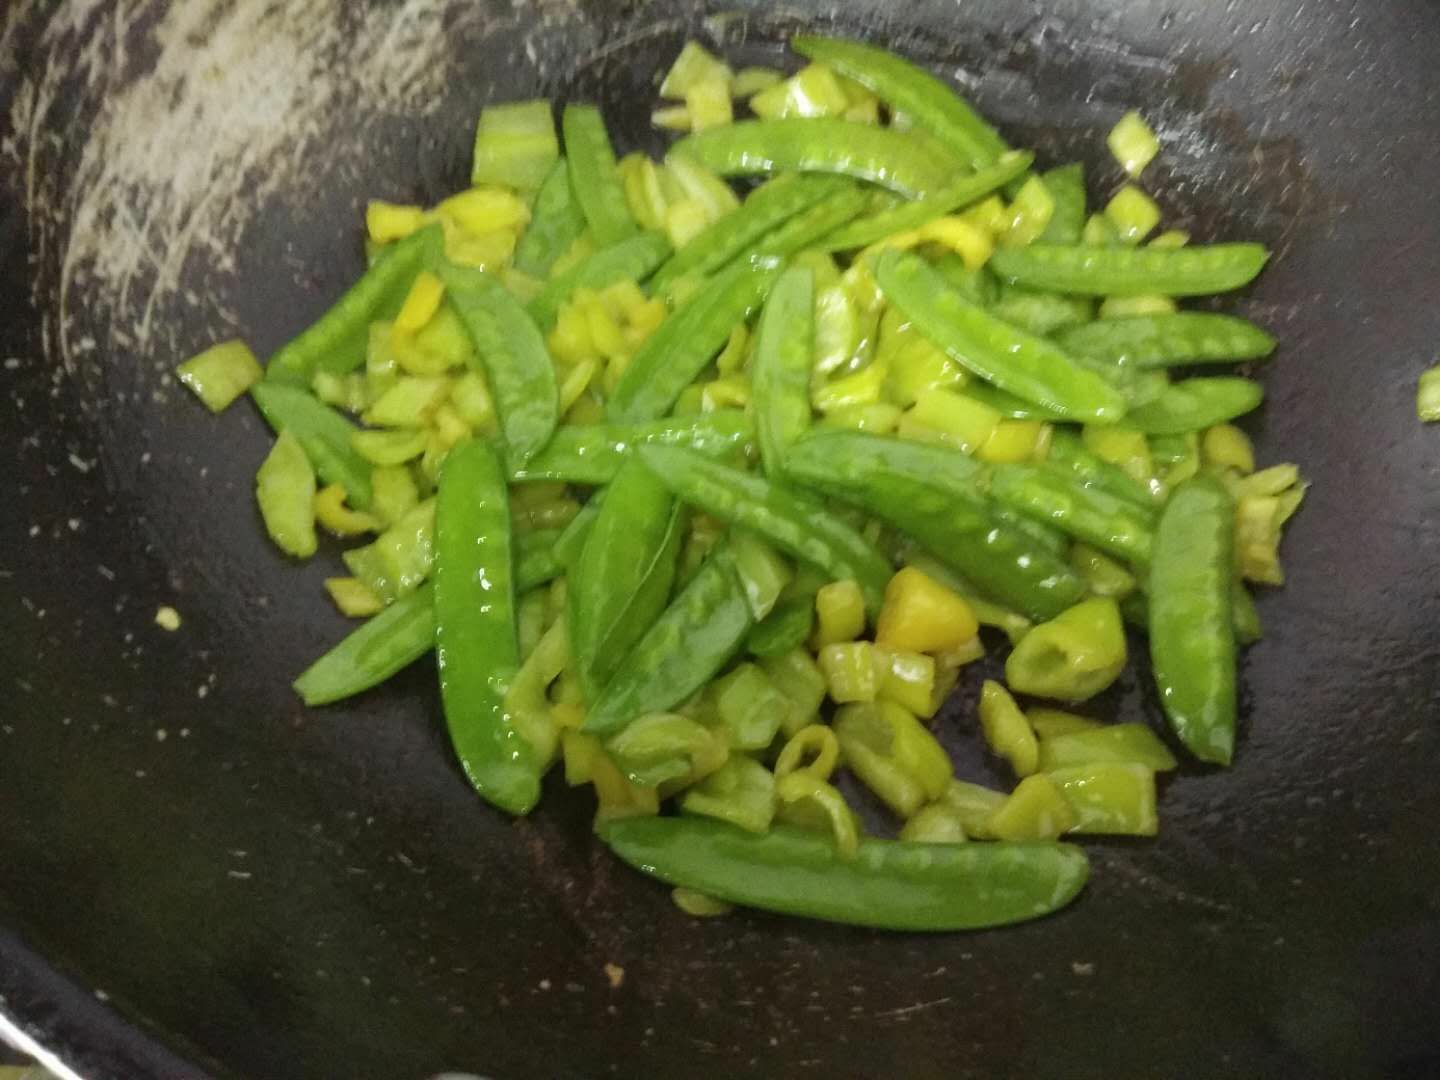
x: 781, y: 365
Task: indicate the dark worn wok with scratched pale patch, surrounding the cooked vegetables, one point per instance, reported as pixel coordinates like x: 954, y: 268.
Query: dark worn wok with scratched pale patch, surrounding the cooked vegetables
x: 201, y: 878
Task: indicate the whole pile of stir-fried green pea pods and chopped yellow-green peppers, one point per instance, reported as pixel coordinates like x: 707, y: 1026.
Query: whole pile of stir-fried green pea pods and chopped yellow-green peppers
x: 708, y: 492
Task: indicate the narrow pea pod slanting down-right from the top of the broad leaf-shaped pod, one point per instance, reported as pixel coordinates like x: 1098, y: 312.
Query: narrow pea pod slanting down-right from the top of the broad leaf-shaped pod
x: 788, y: 521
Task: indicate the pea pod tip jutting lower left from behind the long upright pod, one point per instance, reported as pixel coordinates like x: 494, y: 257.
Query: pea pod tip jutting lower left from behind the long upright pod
x: 379, y: 649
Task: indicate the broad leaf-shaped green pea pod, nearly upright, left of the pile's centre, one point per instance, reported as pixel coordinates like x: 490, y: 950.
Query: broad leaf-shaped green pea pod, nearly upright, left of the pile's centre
x: 623, y: 578
